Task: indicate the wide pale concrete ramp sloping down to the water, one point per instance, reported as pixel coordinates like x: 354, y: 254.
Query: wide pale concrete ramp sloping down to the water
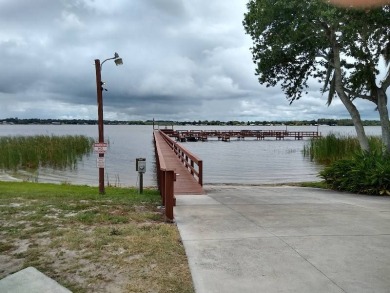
x: 285, y: 239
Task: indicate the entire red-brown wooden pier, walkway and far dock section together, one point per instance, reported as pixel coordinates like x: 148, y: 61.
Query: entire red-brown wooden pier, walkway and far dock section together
x: 181, y: 172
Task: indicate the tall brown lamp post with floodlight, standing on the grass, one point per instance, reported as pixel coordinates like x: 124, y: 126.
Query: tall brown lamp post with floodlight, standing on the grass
x: 99, y: 91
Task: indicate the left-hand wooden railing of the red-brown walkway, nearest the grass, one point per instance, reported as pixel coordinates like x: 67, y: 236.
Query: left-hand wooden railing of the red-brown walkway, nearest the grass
x: 165, y: 181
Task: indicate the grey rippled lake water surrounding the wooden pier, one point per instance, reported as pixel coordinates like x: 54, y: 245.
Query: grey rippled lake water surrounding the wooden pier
x: 234, y: 162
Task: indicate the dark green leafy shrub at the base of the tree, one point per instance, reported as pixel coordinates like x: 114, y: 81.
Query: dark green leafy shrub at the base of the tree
x: 367, y: 172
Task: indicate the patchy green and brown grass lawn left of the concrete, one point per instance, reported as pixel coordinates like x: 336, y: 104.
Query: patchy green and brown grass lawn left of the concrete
x: 117, y: 242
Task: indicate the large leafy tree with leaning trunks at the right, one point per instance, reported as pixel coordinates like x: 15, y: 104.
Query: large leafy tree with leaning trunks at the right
x: 299, y: 40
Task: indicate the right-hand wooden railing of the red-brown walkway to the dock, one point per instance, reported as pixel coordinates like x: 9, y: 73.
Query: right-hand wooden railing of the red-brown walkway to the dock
x: 193, y: 164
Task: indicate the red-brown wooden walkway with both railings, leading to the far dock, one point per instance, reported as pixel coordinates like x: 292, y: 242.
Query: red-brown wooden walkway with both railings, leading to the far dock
x: 178, y: 171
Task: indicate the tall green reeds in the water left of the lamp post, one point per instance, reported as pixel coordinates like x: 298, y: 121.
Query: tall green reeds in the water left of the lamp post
x: 32, y: 152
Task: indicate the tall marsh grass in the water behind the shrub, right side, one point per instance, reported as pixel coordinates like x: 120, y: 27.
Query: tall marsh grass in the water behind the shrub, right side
x: 331, y: 148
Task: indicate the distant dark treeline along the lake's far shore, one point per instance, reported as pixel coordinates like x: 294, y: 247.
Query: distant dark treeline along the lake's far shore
x: 321, y: 121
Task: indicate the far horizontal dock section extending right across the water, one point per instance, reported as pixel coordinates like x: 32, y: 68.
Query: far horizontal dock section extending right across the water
x: 227, y: 135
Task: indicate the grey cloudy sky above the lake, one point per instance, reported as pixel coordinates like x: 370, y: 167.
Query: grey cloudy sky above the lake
x: 183, y: 60
